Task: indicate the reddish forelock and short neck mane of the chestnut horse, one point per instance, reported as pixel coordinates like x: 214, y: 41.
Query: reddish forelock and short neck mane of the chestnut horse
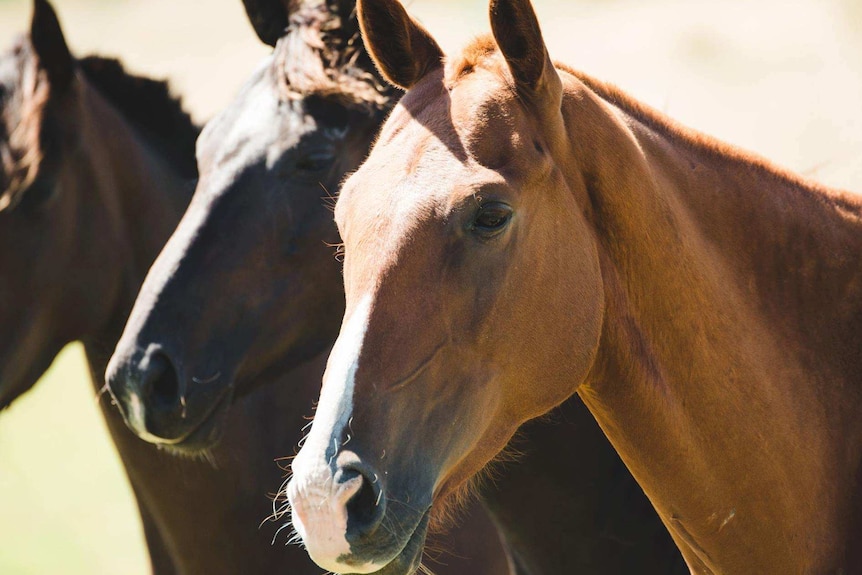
x: 484, y: 48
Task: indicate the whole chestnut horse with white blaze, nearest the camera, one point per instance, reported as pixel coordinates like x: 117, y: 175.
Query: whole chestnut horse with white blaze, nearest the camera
x: 520, y: 233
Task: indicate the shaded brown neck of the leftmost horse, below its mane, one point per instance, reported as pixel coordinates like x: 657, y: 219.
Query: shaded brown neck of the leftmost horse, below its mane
x: 141, y: 198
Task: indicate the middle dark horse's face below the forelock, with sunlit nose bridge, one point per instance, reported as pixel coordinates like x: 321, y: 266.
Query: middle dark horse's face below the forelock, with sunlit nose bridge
x: 247, y: 285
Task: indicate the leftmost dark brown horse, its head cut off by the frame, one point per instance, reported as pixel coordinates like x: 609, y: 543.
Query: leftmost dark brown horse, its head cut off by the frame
x: 97, y: 167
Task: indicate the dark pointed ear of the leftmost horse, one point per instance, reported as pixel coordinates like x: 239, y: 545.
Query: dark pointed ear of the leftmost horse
x: 50, y: 45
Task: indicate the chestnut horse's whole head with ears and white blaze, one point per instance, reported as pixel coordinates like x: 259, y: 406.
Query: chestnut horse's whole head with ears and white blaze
x: 455, y: 285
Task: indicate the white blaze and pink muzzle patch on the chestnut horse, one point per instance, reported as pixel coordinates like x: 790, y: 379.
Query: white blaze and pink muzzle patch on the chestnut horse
x: 318, y: 502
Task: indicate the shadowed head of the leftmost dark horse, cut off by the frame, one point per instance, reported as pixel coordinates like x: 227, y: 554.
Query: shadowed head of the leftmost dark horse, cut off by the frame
x: 48, y: 212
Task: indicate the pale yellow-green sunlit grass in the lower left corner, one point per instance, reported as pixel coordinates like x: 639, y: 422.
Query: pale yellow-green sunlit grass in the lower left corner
x: 65, y: 504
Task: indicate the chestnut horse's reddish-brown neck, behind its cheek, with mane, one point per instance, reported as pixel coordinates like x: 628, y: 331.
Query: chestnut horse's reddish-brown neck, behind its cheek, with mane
x: 727, y: 372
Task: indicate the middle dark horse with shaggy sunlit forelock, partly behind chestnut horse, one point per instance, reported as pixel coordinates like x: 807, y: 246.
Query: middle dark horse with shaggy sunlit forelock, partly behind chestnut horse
x: 247, y: 288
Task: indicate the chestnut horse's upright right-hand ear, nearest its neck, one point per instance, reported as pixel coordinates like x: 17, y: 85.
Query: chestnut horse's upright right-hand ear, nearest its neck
x: 517, y: 33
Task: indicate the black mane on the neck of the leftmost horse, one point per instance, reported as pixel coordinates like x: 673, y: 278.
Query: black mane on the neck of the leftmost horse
x: 149, y: 106
